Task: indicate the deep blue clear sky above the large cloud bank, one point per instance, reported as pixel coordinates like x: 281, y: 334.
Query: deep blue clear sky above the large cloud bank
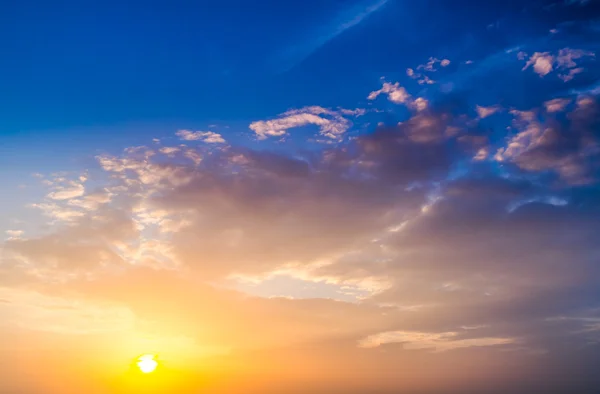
x: 82, y: 74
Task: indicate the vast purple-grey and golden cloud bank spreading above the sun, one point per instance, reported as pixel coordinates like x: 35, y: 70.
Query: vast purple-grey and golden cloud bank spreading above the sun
x: 430, y: 245
